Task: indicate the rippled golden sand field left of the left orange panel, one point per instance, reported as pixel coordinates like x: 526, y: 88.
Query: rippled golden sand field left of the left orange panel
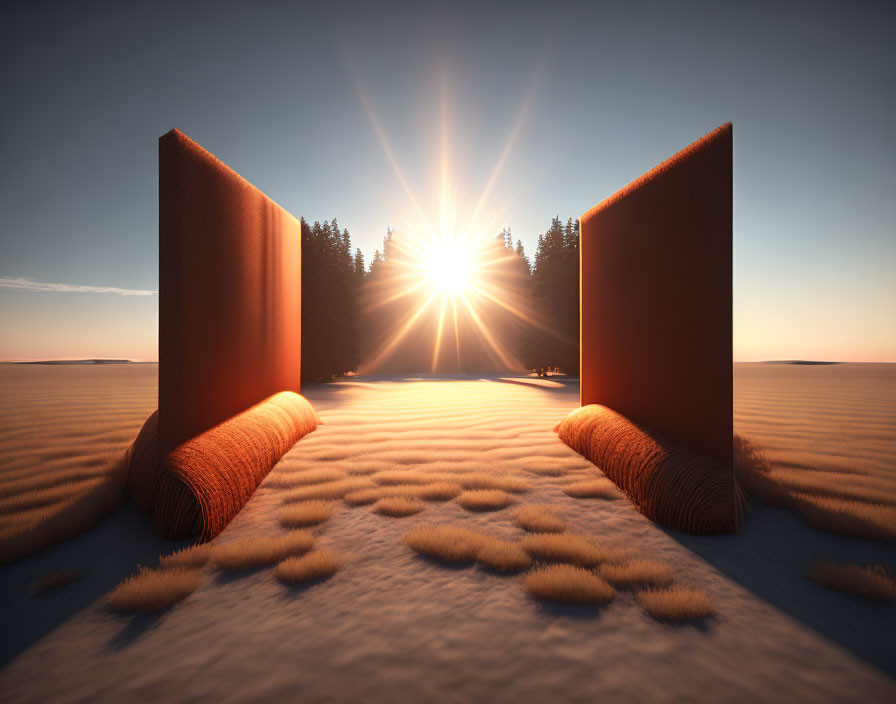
x: 61, y: 429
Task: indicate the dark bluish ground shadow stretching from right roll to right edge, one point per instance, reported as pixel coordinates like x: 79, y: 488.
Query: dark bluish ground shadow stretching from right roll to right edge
x: 770, y: 557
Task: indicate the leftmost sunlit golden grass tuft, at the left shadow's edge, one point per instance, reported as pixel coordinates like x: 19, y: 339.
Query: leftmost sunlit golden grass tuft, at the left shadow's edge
x: 154, y: 590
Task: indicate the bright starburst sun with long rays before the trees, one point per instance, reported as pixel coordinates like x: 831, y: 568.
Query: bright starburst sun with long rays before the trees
x: 446, y: 274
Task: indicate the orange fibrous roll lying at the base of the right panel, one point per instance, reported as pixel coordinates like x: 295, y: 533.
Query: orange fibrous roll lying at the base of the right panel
x: 668, y: 482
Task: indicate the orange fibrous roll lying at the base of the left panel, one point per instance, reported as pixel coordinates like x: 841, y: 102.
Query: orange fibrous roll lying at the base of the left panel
x: 207, y: 480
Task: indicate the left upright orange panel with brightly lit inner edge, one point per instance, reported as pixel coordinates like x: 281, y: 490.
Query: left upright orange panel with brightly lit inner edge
x: 229, y: 293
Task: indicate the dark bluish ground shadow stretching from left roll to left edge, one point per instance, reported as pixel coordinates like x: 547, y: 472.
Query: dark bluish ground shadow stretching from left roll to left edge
x: 105, y: 555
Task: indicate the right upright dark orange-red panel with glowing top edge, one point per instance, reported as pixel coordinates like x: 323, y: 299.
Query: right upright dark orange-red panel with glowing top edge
x: 656, y: 298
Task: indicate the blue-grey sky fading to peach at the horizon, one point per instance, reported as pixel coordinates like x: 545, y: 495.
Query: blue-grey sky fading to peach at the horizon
x: 272, y: 89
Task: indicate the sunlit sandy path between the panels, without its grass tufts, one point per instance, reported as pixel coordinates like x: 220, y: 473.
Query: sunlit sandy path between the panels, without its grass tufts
x: 393, y: 627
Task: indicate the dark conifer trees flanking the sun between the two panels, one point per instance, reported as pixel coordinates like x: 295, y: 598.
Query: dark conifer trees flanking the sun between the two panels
x: 336, y: 337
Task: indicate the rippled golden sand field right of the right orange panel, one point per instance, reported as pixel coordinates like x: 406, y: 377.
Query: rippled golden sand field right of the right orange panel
x: 828, y: 430
